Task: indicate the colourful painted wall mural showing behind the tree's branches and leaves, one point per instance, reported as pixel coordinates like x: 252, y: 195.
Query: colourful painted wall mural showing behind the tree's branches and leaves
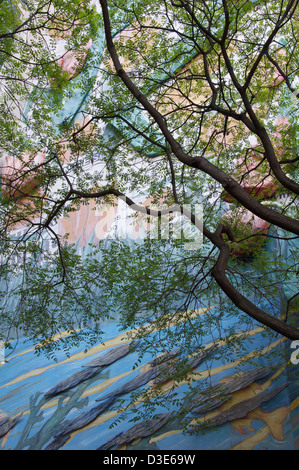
x: 75, y: 401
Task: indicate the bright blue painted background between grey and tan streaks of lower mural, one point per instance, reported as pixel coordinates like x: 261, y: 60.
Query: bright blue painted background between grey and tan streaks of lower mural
x: 15, y: 398
